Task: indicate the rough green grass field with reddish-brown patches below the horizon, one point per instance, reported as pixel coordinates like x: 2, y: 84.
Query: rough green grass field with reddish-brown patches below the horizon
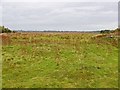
x: 59, y: 60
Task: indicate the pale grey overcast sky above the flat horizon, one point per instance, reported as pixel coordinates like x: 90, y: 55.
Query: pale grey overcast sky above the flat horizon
x: 60, y: 15
